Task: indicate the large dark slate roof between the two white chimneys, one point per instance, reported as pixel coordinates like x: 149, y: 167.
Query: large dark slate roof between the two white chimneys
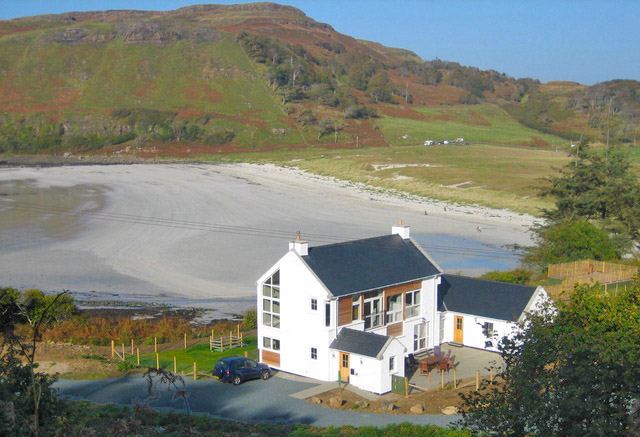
x: 368, y: 264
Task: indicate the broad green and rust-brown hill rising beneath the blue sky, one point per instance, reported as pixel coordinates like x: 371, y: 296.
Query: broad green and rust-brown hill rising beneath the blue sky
x: 216, y: 78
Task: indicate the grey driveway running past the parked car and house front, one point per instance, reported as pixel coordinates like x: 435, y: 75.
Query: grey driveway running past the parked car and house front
x: 251, y: 401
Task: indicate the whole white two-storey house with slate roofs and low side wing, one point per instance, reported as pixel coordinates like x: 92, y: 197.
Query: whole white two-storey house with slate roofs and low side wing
x: 353, y: 311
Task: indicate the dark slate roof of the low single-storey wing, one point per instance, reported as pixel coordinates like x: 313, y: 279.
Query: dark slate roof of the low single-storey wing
x: 479, y: 297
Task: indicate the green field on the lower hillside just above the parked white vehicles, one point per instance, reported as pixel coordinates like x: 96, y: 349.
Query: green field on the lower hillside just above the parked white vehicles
x: 478, y: 123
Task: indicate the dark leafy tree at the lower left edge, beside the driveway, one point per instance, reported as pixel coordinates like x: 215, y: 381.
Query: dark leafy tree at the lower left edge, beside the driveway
x: 28, y: 391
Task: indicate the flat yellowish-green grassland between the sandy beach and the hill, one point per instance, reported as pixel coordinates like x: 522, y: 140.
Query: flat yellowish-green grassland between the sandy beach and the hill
x: 495, y: 176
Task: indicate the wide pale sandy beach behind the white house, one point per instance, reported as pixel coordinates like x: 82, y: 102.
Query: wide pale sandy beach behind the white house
x: 203, y: 231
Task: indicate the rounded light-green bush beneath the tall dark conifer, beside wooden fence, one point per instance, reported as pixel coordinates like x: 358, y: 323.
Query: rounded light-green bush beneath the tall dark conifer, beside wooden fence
x: 571, y: 241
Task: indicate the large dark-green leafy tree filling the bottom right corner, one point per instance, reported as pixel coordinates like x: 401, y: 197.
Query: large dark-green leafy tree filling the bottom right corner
x: 569, y: 371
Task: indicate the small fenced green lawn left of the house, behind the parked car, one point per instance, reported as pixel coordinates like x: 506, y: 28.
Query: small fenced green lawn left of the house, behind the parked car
x: 198, y: 353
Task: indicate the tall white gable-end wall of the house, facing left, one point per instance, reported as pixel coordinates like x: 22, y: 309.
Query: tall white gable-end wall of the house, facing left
x: 301, y: 328
